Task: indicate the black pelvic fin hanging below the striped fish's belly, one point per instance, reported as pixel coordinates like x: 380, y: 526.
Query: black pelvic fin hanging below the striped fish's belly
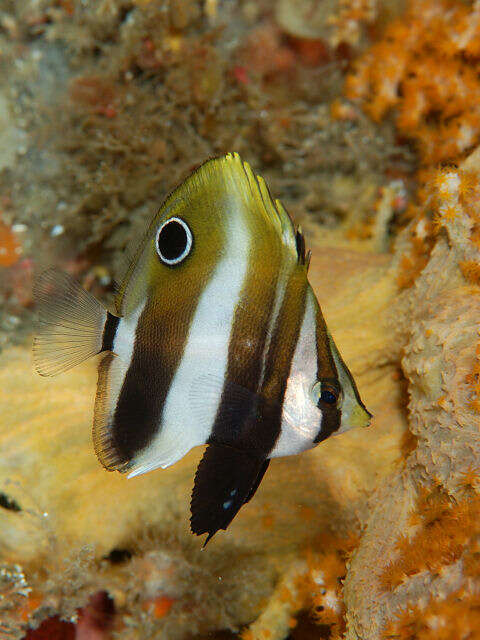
x: 226, y: 478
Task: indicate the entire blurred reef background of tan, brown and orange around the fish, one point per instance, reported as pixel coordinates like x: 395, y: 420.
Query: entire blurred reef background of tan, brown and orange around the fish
x: 363, y: 116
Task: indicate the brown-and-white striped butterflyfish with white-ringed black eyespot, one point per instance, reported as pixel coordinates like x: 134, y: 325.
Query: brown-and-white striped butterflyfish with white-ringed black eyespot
x: 215, y: 338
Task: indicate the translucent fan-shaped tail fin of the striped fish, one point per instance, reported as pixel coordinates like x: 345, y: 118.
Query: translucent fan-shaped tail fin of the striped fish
x: 70, y: 323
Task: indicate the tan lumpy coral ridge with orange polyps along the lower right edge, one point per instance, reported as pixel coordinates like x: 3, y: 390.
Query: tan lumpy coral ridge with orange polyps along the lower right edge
x: 415, y: 572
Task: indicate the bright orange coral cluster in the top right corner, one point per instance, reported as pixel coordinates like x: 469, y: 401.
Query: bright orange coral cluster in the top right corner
x: 425, y: 68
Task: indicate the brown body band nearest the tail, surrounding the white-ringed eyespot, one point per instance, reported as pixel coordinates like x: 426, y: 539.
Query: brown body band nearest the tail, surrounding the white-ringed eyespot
x: 172, y: 296
